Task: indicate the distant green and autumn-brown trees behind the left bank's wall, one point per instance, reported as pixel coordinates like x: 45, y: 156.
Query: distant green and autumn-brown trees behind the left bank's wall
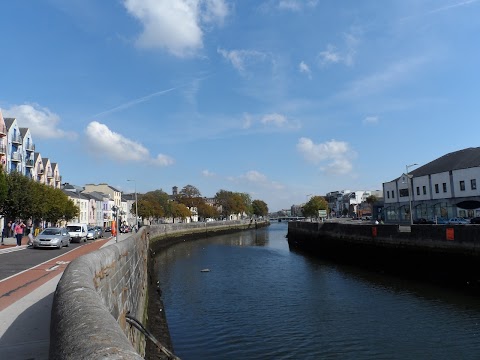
x: 158, y: 204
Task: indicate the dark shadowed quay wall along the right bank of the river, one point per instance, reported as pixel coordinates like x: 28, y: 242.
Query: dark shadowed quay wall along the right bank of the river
x: 444, y: 254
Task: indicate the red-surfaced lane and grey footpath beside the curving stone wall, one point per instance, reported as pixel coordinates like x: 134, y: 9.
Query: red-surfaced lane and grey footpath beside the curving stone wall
x: 26, y: 301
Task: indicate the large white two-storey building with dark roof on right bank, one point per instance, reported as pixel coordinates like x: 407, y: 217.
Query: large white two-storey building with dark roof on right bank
x: 446, y: 187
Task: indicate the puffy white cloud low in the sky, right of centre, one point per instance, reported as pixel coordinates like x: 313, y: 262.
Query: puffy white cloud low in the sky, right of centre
x: 337, y: 153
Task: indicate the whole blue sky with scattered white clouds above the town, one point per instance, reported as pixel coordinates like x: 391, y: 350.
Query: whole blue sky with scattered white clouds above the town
x: 280, y: 99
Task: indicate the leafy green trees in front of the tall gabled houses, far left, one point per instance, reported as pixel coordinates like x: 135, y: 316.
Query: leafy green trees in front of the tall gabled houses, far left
x: 24, y: 198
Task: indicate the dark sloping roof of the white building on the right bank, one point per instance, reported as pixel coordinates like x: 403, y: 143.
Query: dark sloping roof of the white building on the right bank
x: 461, y: 159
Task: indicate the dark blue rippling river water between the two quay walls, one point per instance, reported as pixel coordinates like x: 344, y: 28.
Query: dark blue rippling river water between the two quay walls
x: 262, y: 301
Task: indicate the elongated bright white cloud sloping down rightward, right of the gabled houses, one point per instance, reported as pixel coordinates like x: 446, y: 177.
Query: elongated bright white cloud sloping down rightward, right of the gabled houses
x: 106, y: 143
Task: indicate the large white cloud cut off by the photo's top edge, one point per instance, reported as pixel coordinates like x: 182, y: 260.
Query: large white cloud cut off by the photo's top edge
x: 175, y: 25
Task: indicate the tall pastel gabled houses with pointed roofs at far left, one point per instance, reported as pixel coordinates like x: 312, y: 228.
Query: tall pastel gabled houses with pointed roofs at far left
x: 18, y: 153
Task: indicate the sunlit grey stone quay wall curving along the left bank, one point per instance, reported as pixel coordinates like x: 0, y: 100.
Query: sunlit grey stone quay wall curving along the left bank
x: 98, y: 290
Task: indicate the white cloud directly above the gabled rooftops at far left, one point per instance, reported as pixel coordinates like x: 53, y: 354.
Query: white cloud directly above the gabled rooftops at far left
x: 43, y: 123
